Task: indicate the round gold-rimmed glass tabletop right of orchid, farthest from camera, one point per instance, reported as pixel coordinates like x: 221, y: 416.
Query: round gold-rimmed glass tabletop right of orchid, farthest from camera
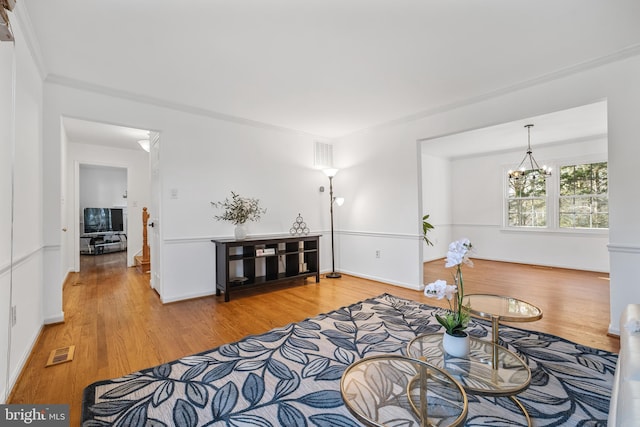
x: 507, y: 309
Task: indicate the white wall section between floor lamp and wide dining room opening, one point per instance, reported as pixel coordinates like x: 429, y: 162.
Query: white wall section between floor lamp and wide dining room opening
x: 381, y: 213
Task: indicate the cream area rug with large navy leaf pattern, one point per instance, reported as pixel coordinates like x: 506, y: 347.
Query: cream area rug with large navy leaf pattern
x: 290, y: 376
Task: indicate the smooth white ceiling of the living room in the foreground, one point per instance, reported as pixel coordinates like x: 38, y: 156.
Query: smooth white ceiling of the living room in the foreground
x: 324, y: 67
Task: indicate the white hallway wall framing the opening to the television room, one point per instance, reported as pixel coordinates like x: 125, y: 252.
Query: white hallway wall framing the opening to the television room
x: 132, y: 174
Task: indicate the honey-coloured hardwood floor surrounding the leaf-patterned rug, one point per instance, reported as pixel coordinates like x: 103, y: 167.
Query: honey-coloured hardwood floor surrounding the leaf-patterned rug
x: 118, y: 325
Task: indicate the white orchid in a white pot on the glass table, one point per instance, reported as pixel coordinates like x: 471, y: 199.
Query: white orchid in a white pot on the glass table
x: 456, y: 339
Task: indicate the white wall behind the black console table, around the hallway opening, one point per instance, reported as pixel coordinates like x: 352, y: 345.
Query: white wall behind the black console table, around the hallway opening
x: 202, y: 159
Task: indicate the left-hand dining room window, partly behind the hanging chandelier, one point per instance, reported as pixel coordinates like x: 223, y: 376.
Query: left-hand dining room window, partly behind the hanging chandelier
x: 527, y: 200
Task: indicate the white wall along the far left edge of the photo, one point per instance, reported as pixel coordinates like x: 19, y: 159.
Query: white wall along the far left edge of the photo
x: 21, y: 262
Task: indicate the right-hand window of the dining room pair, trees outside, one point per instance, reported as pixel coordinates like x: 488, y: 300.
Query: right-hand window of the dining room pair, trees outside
x: 583, y: 200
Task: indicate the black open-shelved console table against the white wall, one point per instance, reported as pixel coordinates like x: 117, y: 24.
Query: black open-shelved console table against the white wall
x: 261, y: 260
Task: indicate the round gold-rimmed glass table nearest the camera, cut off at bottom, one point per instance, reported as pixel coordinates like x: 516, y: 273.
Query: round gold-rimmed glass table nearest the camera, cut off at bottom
x: 391, y: 390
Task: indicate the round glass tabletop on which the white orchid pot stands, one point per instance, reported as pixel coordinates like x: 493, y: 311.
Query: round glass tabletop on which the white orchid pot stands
x: 476, y: 372
